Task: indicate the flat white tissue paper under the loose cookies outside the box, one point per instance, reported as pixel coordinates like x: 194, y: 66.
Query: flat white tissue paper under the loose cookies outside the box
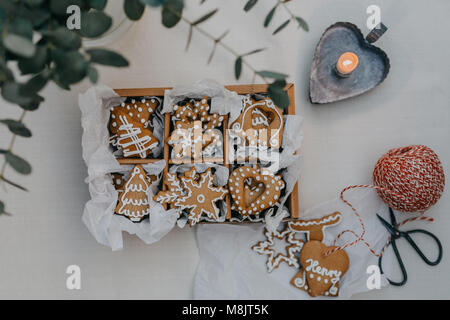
x: 237, y: 272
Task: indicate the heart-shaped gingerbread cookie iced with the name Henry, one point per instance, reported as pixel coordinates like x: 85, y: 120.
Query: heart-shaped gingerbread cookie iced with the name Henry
x: 320, y: 274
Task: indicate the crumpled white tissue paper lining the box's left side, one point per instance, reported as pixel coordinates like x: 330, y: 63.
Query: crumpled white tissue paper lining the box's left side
x: 98, y: 214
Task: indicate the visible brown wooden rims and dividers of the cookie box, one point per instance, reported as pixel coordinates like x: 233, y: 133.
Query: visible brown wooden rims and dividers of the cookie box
x: 292, y: 201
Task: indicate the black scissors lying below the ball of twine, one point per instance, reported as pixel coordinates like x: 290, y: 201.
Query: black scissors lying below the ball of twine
x: 396, y: 234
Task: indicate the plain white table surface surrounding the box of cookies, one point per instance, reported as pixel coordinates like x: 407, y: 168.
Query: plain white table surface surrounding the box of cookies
x: 342, y: 143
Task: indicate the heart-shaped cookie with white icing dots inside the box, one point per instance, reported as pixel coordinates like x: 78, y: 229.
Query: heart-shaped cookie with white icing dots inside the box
x: 253, y: 192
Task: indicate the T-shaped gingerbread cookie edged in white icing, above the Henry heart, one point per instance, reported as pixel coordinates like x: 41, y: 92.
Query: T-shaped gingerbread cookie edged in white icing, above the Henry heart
x: 315, y: 228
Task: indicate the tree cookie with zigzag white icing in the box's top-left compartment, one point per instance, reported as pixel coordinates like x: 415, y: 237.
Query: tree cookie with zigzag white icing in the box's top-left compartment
x: 132, y: 137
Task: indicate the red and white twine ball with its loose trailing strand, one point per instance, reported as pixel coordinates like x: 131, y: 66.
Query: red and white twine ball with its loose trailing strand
x: 408, y: 179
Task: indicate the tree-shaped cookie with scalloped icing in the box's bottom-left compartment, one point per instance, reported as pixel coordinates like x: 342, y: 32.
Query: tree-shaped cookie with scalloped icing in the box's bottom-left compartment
x: 133, y: 202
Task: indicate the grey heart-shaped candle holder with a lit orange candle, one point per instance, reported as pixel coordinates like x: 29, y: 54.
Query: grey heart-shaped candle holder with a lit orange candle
x: 345, y: 64
